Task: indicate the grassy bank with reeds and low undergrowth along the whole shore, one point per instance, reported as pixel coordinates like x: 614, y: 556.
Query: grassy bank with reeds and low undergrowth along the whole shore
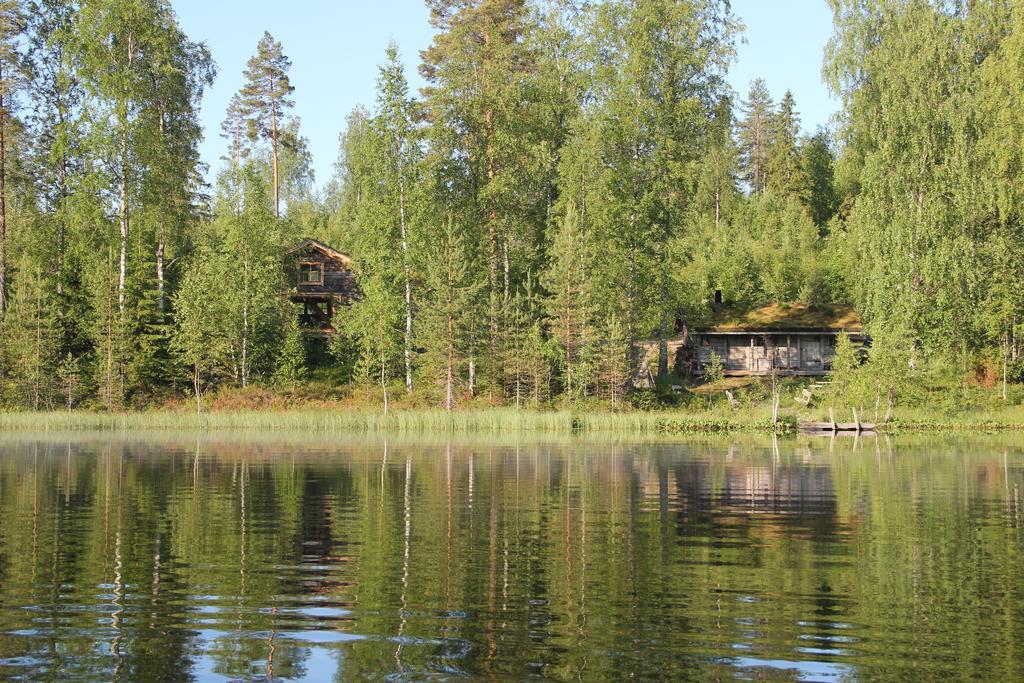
x: 704, y: 413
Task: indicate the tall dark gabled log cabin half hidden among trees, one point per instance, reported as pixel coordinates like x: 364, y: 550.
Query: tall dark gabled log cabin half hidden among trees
x: 324, y: 281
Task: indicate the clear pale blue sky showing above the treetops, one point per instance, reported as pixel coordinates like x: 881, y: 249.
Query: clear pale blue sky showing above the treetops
x: 335, y: 47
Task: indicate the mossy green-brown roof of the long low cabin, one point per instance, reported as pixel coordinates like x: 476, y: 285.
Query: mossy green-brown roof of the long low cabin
x: 783, y: 318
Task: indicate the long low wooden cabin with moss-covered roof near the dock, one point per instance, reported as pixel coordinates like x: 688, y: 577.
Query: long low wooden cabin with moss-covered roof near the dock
x: 792, y: 339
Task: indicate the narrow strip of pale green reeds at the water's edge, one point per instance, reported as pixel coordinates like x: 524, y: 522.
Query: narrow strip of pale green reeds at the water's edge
x: 488, y: 421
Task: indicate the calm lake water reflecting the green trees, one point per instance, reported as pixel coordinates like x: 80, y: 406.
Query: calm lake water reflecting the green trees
x: 219, y: 559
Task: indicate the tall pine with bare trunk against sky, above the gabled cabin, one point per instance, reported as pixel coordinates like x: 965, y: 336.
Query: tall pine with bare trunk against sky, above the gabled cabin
x: 265, y: 100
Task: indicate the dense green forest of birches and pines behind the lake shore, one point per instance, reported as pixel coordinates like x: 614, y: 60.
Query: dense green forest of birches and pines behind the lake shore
x: 574, y: 179
